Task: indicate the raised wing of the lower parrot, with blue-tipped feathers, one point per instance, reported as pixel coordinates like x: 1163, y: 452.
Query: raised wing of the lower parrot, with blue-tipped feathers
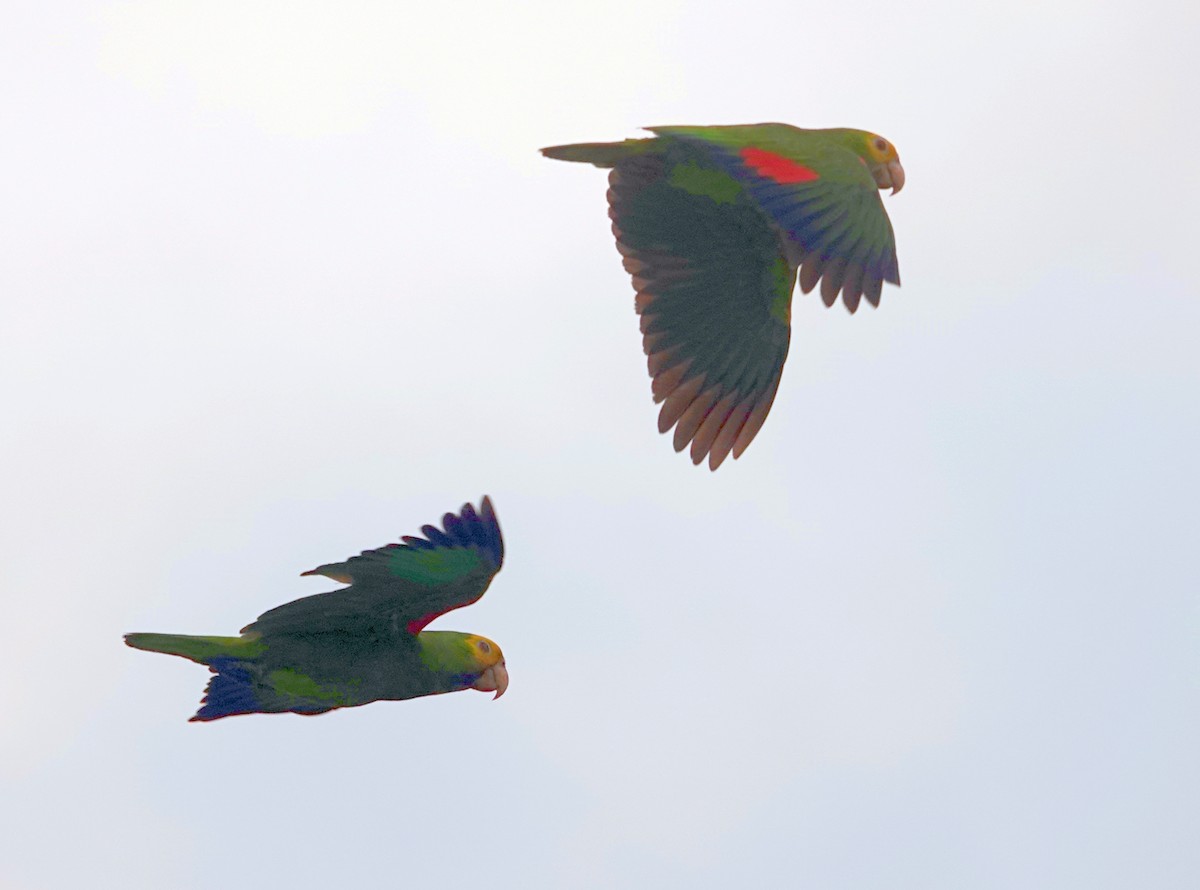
x: 403, y: 587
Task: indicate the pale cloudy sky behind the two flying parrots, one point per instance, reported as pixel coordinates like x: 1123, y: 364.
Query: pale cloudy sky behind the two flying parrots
x: 285, y: 281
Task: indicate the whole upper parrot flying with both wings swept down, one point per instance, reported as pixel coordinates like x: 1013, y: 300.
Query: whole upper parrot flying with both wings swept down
x: 715, y: 224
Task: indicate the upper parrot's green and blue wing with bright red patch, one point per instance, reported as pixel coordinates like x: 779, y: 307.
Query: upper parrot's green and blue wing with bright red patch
x: 835, y: 220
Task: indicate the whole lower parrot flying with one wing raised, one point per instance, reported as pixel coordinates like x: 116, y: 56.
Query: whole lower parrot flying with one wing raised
x: 363, y: 644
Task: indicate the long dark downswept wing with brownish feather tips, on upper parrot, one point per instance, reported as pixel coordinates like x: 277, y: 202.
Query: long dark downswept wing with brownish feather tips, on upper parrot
x: 715, y: 293
